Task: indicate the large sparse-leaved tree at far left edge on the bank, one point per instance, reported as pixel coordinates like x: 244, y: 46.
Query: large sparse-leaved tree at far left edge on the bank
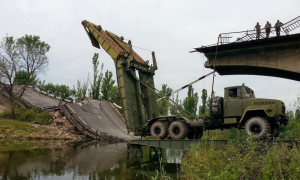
x: 28, y: 54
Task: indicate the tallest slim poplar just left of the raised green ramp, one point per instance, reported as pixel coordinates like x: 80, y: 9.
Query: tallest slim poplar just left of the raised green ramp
x: 95, y: 86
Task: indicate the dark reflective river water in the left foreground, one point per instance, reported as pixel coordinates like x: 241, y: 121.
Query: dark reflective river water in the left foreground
x: 89, y: 160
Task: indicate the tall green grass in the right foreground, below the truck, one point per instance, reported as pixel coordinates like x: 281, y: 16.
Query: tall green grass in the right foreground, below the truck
x: 236, y: 160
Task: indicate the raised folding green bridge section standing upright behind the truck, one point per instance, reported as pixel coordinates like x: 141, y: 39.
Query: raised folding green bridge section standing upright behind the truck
x: 139, y: 102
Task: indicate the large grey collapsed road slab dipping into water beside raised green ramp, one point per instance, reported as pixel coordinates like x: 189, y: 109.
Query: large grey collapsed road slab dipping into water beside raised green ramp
x: 98, y: 120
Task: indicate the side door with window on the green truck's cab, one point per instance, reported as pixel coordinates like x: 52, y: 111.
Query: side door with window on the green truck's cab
x: 234, y: 103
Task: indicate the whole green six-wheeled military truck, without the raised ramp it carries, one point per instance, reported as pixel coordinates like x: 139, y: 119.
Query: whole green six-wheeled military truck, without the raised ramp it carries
x: 238, y: 109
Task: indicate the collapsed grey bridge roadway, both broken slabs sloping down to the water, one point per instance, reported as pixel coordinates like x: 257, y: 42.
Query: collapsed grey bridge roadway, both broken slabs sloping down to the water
x: 98, y: 119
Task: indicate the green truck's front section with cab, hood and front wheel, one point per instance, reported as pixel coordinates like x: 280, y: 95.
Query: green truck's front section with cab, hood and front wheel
x: 240, y: 108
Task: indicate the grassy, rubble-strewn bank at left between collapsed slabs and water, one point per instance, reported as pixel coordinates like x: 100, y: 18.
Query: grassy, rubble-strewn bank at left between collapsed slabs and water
x: 34, y: 125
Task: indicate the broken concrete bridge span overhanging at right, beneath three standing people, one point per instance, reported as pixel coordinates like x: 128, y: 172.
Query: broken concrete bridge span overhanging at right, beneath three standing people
x: 276, y: 56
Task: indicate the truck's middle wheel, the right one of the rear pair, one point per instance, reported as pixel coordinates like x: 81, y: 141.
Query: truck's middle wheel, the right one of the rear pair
x: 178, y: 130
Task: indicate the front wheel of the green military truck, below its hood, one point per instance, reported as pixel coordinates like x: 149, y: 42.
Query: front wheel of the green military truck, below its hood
x: 259, y: 127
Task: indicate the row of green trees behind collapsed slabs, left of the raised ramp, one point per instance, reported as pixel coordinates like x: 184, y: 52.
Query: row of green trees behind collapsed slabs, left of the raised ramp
x: 101, y: 86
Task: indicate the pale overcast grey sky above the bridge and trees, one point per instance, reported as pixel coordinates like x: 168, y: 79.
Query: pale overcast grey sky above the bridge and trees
x: 171, y: 28
